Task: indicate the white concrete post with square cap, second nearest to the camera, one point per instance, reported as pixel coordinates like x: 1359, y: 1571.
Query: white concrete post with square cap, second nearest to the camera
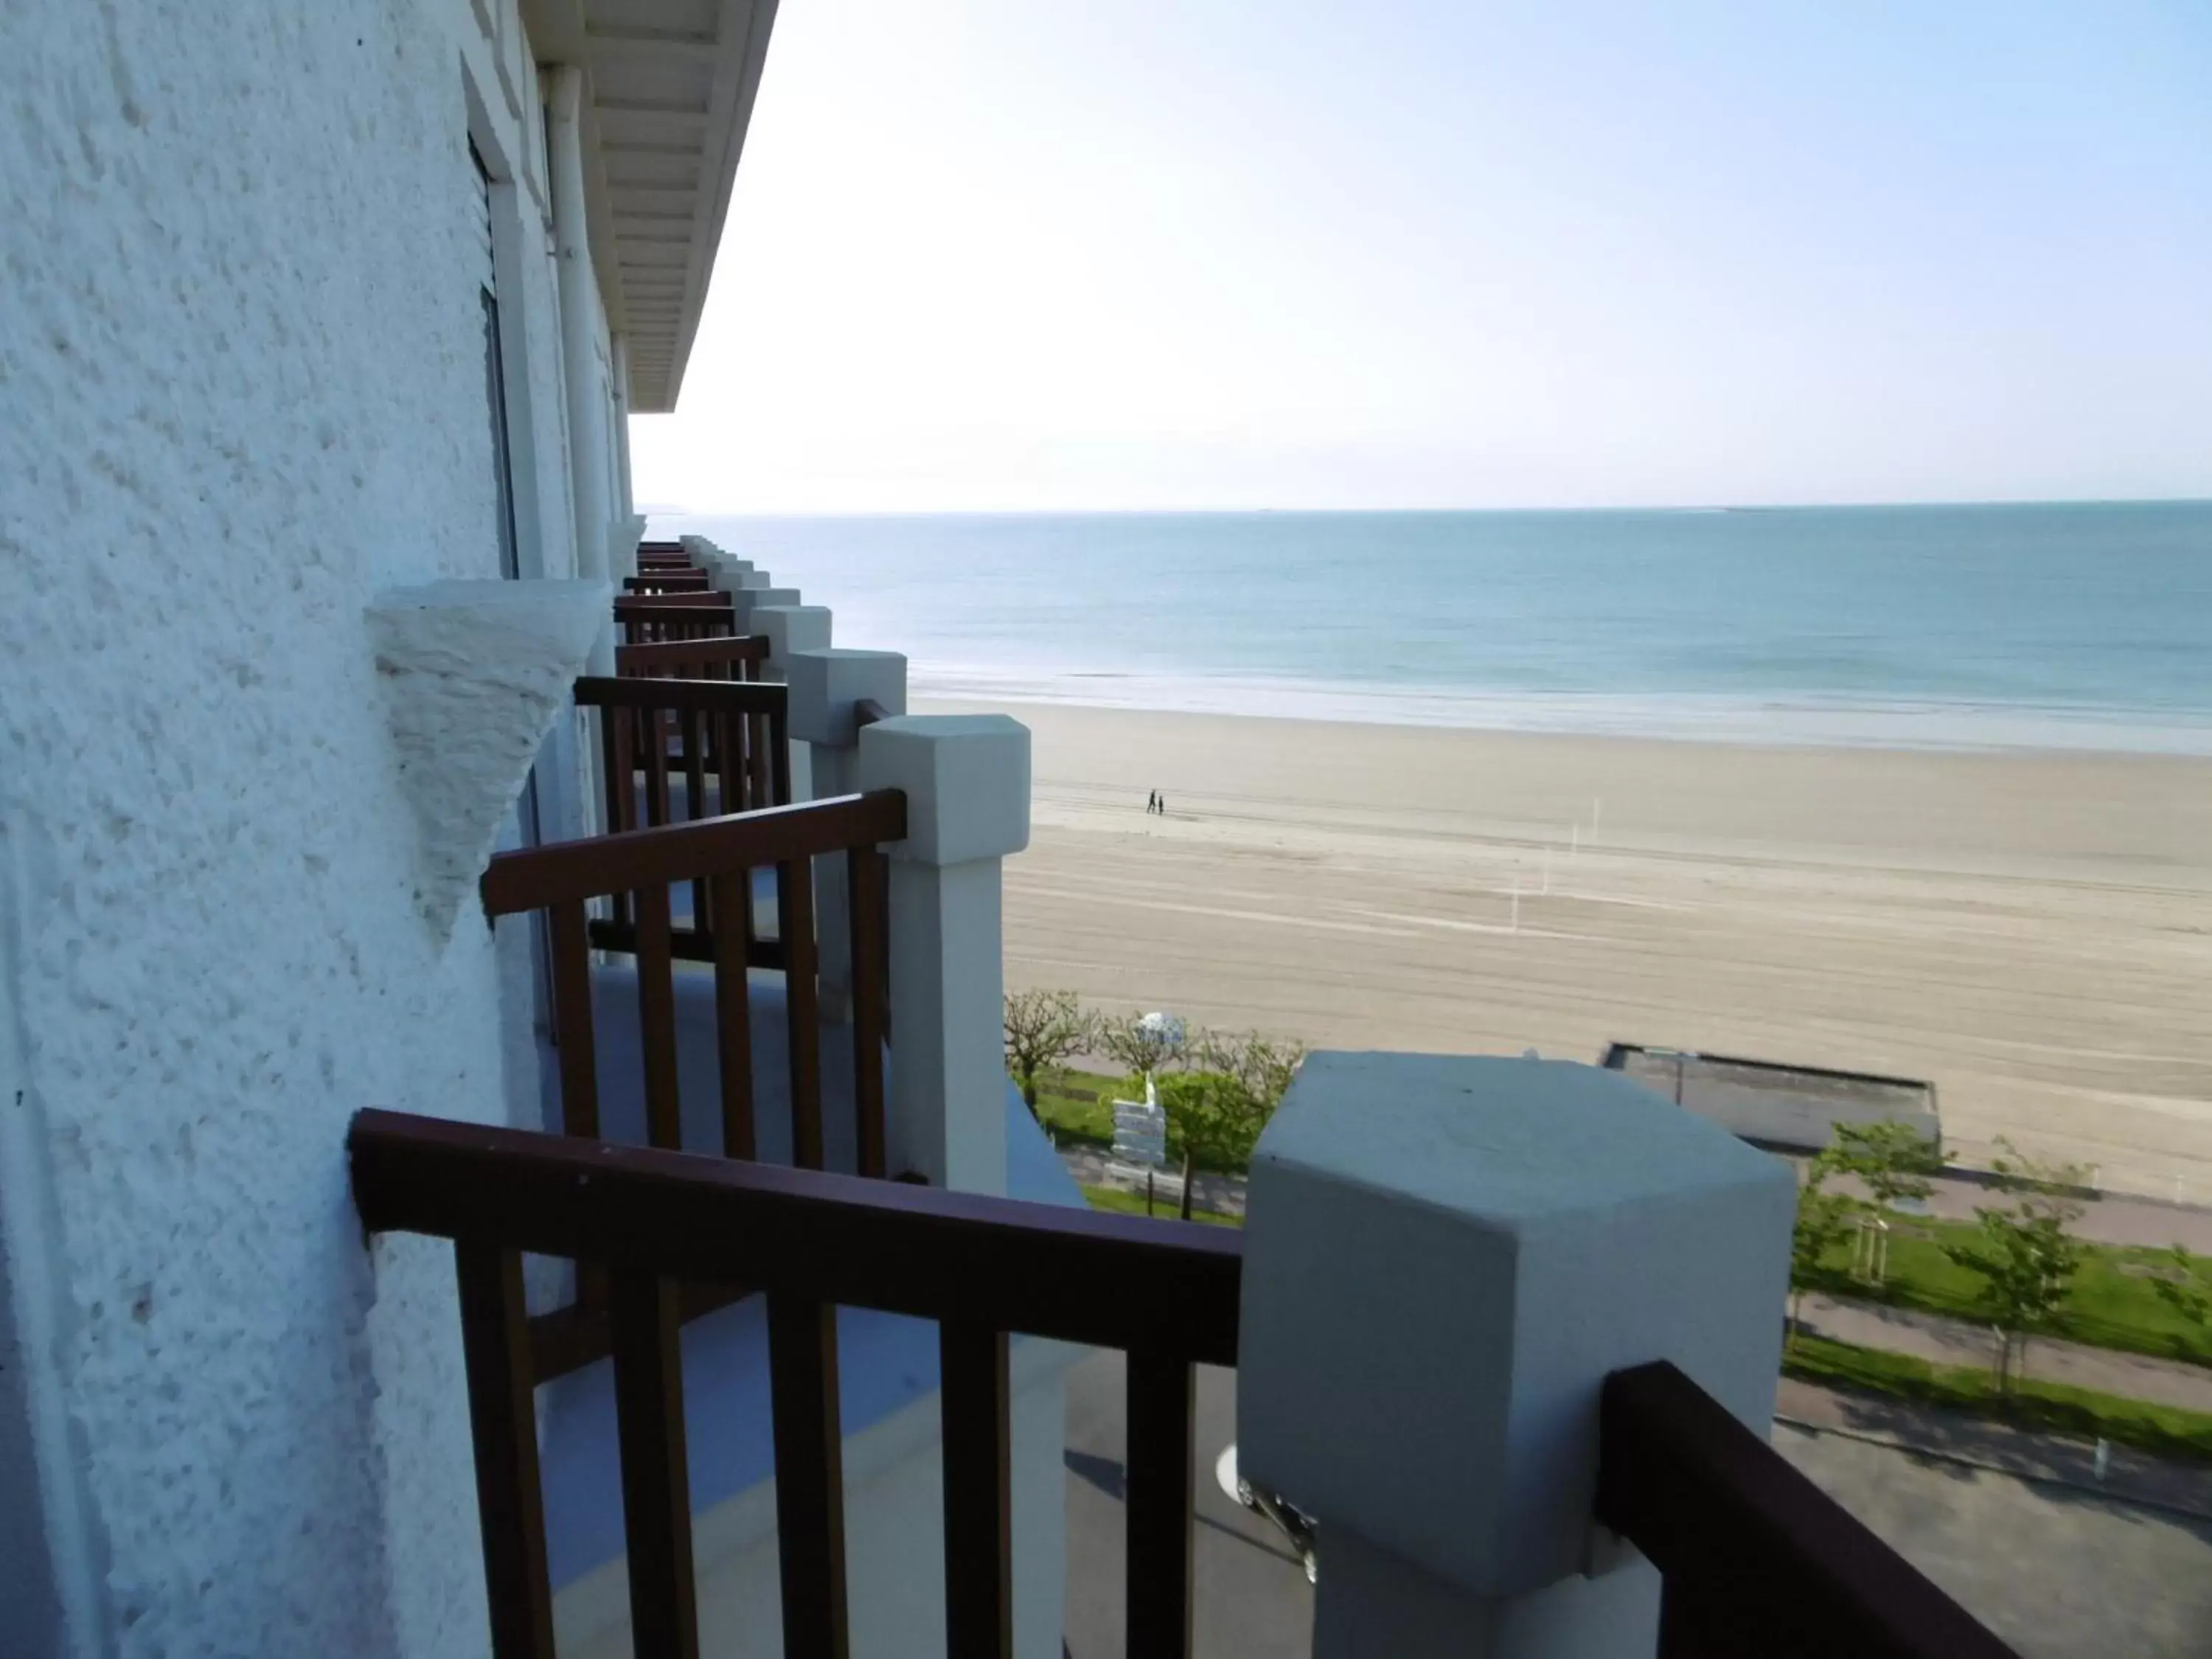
x: 968, y: 806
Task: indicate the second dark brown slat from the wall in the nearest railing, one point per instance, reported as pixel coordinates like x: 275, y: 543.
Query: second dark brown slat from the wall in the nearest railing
x: 656, y: 1485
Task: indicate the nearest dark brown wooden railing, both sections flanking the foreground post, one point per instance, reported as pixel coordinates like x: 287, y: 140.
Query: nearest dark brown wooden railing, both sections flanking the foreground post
x: 1755, y: 1558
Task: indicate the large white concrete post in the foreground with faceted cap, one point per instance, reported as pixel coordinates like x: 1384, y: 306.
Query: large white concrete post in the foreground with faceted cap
x: 1443, y: 1262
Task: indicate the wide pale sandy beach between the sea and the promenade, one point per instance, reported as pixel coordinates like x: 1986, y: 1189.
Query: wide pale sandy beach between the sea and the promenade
x: 2032, y: 932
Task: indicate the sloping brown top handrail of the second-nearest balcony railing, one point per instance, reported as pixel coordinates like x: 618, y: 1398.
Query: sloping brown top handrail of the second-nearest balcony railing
x: 570, y: 873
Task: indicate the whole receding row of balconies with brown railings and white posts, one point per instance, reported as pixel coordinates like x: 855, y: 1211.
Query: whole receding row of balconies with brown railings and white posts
x: 1505, y: 1331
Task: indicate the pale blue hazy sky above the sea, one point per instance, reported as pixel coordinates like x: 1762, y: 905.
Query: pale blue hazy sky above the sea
x: 1043, y: 255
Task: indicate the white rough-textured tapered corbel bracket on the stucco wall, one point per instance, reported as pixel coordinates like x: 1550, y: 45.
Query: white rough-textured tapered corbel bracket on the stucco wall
x: 474, y: 676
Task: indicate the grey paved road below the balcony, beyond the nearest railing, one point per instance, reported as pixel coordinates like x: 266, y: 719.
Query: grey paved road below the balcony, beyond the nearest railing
x: 2005, y: 1521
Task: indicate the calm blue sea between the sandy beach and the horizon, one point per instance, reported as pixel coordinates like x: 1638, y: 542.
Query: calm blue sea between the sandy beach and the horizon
x: 1901, y: 625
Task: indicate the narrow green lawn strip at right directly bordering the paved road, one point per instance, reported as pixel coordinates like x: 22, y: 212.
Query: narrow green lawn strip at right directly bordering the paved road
x: 2049, y: 1408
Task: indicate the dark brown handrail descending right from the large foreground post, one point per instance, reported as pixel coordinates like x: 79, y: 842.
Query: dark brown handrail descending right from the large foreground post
x: 1755, y: 1558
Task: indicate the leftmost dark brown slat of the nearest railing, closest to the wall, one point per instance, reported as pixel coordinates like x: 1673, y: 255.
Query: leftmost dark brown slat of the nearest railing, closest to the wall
x: 503, y: 1423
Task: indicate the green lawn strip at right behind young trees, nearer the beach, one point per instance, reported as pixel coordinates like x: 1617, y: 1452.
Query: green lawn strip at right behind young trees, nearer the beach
x: 2111, y: 1306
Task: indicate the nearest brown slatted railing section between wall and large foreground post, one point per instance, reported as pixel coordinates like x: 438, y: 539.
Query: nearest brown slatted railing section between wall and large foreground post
x: 658, y: 1222
